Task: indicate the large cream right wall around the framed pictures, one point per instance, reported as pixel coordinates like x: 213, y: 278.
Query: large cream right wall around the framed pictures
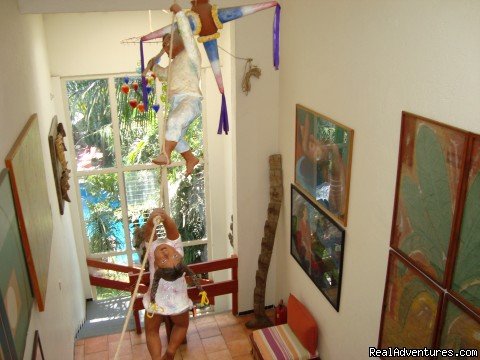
x: 362, y: 63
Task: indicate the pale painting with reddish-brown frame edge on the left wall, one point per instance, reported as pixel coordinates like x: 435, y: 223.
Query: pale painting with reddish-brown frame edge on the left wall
x: 30, y: 194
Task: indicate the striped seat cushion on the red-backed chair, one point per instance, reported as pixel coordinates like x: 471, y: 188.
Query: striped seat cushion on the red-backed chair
x: 279, y: 343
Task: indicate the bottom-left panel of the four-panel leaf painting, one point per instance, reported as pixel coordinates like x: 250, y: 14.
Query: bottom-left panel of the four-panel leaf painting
x: 409, y: 287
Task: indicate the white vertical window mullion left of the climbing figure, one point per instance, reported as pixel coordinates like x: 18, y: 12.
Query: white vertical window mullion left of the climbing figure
x: 119, y: 166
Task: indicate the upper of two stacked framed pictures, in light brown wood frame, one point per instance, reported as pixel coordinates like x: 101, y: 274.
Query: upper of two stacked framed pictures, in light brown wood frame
x: 323, y: 159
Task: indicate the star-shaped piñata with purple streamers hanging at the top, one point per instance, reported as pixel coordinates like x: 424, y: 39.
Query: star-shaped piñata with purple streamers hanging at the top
x: 205, y: 20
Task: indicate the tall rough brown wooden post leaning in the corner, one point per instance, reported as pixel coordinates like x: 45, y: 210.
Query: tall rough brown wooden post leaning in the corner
x: 276, y: 195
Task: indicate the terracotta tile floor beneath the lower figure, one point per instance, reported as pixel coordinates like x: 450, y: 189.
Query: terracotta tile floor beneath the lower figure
x: 210, y: 337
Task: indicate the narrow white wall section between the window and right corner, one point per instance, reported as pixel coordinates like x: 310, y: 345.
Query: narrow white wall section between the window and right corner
x: 256, y: 138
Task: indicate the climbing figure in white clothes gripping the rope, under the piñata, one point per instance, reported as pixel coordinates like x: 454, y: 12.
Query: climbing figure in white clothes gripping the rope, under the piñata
x: 184, y: 95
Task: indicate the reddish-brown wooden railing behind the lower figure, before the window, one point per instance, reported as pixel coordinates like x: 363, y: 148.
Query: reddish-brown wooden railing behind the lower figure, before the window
x: 212, y: 288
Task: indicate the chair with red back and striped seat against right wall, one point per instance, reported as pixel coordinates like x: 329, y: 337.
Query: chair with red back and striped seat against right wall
x: 295, y: 340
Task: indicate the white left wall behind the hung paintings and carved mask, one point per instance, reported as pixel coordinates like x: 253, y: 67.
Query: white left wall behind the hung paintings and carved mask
x: 25, y: 80
